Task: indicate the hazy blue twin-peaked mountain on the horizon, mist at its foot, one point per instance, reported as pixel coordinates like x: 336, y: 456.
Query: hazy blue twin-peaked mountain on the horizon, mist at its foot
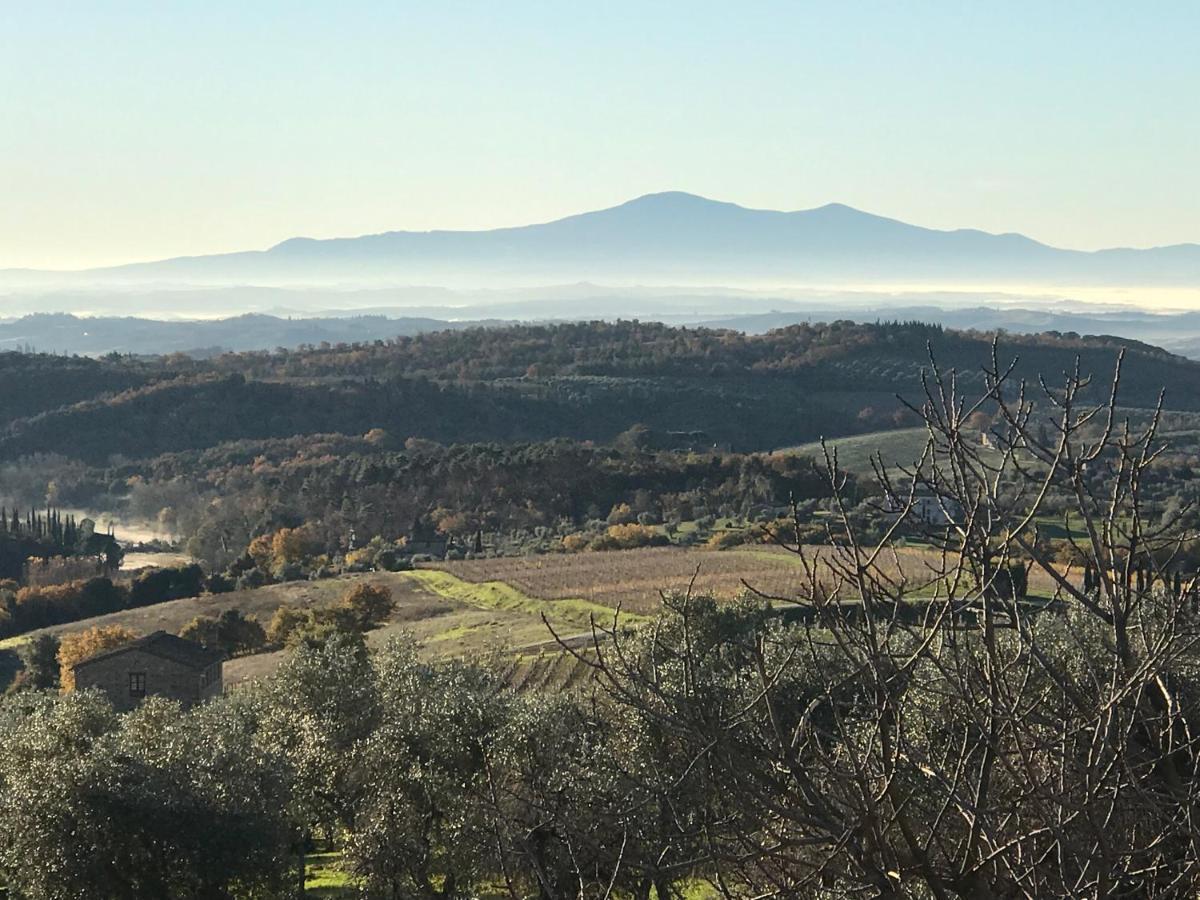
x: 680, y: 238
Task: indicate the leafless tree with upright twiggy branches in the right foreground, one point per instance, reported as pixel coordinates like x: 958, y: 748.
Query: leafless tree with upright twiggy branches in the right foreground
x: 977, y: 721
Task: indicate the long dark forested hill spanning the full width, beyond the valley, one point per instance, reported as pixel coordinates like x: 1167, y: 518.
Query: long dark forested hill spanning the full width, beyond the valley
x: 532, y: 383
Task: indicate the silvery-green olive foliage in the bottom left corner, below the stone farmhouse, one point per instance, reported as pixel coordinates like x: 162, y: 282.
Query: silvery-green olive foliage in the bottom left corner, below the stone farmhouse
x: 157, y: 803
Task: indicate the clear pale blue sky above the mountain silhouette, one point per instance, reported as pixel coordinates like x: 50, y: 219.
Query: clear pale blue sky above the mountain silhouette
x: 147, y: 130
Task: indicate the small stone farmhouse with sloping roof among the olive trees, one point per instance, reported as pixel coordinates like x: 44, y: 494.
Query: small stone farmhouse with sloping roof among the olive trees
x: 157, y: 665
